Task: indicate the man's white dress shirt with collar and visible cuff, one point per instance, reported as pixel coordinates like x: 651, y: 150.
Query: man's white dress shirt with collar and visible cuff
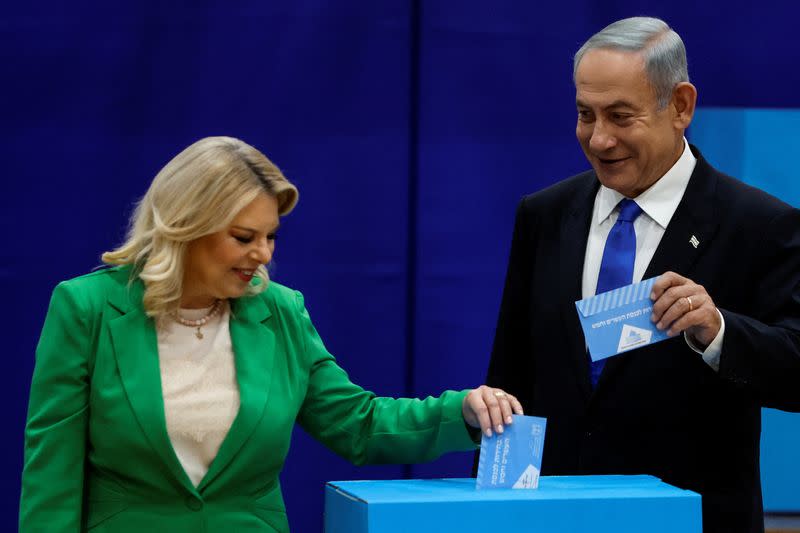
x: 658, y: 204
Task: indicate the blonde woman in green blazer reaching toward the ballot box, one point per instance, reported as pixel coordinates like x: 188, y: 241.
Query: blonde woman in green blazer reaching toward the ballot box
x: 166, y: 387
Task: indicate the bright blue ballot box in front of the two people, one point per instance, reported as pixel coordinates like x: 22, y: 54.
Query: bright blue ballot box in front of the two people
x: 562, y: 504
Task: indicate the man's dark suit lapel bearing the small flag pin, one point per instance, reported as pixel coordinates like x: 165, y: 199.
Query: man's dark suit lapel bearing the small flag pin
x: 689, y: 233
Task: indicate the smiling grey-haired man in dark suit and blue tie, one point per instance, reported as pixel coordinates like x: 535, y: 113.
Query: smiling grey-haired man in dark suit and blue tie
x: 687, y: 409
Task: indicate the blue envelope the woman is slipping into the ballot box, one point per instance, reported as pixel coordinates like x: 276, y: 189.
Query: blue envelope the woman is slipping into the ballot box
x: 512, y: 459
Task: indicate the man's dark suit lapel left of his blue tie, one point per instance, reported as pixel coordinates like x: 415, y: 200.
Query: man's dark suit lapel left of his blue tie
x: 575, y: 233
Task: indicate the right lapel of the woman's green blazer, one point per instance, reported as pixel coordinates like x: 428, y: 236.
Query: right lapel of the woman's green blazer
x: 254, y: 351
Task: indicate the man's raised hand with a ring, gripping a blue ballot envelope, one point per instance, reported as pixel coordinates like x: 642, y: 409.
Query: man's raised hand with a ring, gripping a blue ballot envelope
x: 680, y: 304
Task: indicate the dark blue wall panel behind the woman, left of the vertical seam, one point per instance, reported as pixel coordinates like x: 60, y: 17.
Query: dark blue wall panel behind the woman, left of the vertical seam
x: 103, y: 95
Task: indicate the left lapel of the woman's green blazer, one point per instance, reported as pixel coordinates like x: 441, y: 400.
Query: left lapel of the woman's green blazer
x: 136, y: 350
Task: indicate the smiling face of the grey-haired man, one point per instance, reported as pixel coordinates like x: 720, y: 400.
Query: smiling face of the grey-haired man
x: 629, y: 142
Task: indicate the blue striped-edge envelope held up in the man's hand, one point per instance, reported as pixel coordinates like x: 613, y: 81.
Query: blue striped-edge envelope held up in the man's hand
x: 617, y: 321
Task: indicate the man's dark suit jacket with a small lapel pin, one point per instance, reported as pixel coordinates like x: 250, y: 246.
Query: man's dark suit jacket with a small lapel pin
x: 661, y: 409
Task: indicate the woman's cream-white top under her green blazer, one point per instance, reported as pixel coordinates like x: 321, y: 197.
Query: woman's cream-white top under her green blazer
x: 198, y: 381
